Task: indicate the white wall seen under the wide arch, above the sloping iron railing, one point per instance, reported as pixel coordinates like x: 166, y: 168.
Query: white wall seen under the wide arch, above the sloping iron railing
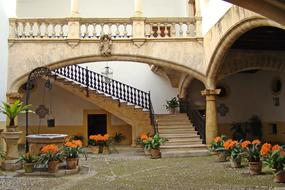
x: 140, y: 76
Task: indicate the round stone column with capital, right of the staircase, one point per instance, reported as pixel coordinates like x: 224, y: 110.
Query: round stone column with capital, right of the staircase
x: 211, y: 114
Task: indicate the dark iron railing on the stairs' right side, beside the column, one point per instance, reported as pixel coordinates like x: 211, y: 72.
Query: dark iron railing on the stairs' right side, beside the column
x: 196, y: 118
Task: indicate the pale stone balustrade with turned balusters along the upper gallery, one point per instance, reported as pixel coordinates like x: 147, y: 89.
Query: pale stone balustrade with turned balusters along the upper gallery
x: 93, y: 28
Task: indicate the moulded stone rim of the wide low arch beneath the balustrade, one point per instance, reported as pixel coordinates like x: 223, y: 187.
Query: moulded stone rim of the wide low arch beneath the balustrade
x: 19, y: 81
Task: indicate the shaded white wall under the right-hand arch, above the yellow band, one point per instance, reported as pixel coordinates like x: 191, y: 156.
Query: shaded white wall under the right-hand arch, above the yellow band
x: 251, y: 94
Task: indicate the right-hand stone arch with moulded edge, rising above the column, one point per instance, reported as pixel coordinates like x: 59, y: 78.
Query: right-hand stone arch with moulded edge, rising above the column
x: 235, y: 22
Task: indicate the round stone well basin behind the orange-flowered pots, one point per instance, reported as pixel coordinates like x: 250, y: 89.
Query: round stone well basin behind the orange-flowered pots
x: 37, y: 141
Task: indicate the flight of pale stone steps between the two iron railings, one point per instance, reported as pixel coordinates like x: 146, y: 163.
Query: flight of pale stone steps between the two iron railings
x: 183, y: 140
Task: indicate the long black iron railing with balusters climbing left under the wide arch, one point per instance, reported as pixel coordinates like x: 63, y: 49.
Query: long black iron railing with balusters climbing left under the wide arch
x: 95, y: 81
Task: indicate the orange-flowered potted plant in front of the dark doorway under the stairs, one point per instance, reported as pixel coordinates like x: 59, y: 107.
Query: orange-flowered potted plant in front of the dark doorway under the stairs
x: 100, y: 141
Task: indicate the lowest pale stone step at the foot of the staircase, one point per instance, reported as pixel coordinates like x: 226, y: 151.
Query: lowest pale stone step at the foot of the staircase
x: 184, y: 153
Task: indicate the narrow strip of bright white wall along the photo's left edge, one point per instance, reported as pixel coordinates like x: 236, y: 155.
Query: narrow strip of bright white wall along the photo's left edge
x: 7, y: 8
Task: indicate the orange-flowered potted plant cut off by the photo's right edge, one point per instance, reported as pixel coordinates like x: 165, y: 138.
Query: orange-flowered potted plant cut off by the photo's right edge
x: 274, y: 158
